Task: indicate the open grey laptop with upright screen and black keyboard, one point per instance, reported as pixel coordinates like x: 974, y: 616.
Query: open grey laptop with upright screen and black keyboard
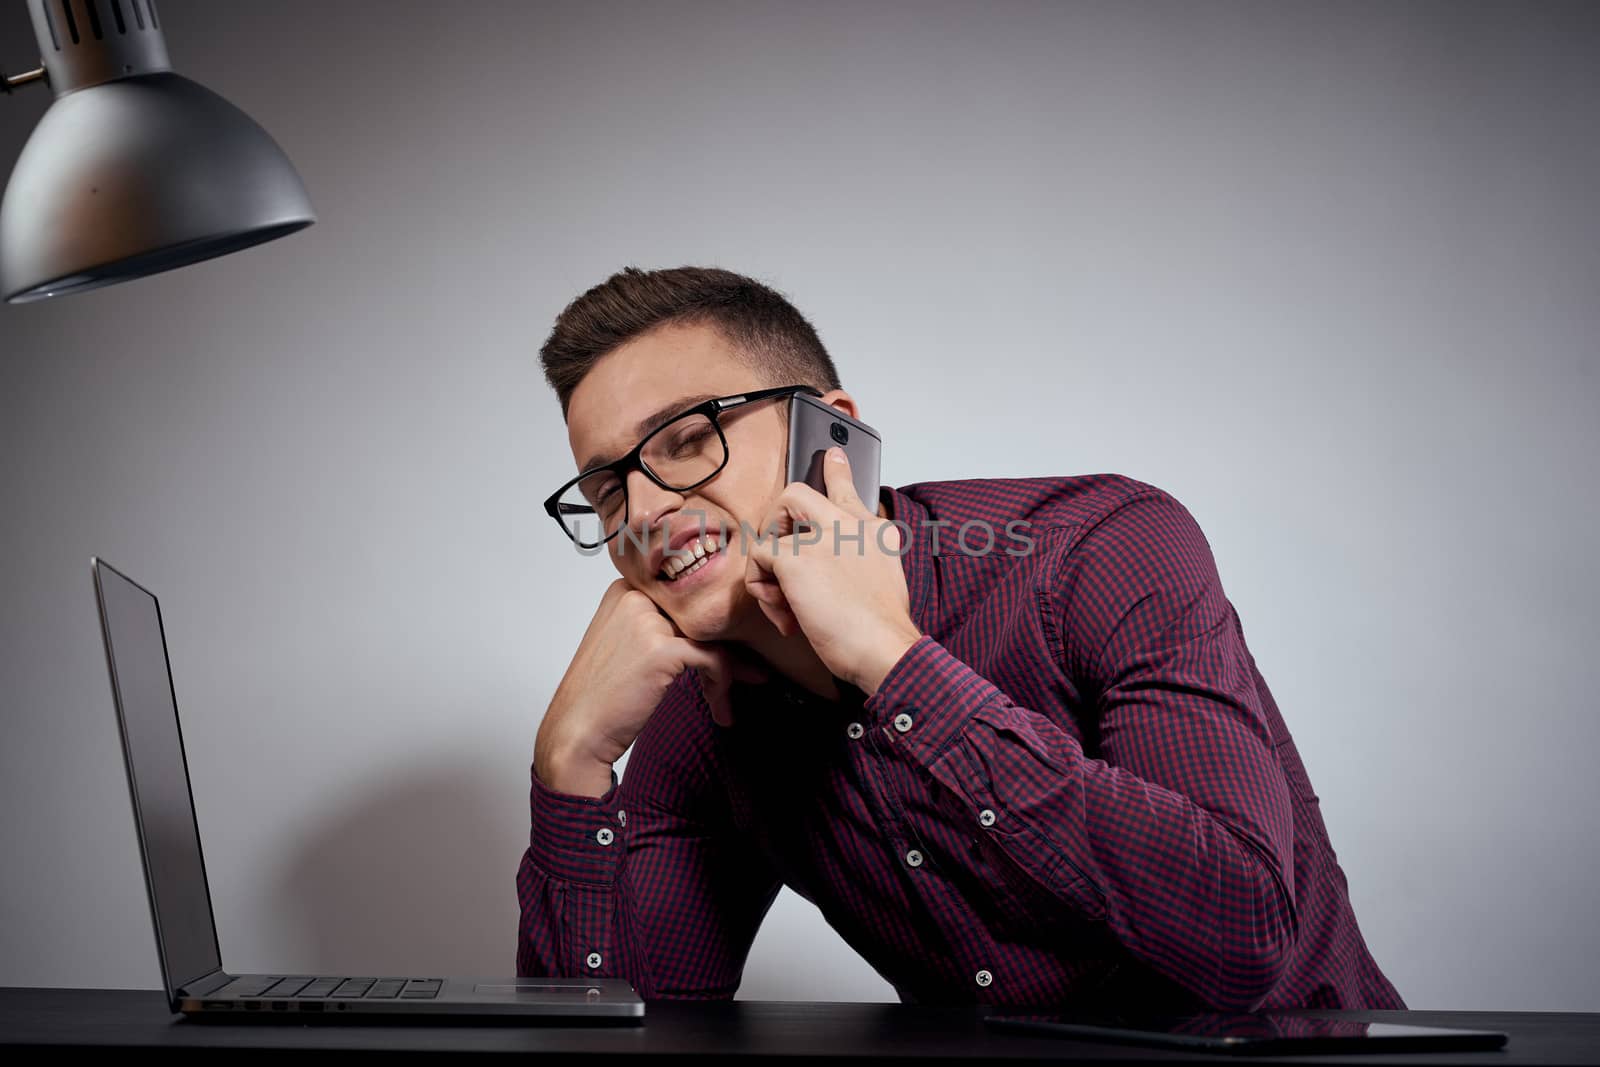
x: 198, y: 986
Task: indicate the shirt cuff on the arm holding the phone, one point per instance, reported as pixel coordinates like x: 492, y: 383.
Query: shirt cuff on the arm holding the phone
x: 927, y: 700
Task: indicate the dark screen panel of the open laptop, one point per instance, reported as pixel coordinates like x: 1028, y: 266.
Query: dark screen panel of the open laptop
x: 159, y: 778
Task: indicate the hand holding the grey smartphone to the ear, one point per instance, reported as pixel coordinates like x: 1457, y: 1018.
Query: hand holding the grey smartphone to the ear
x: 836, y: 575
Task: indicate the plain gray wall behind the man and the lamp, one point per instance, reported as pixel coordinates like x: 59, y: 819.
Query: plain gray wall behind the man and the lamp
x: 1324, y: 271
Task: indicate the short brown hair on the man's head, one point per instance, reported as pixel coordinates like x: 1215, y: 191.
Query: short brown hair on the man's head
x: 764, y: 329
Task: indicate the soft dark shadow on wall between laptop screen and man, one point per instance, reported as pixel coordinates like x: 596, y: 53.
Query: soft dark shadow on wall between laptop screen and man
x: 409, y: 879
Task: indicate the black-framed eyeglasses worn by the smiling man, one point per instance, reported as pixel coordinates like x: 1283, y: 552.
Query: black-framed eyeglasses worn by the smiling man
x: 679, y: 455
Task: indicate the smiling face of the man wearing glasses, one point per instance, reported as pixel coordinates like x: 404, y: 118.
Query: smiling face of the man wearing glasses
x: 670, y: 367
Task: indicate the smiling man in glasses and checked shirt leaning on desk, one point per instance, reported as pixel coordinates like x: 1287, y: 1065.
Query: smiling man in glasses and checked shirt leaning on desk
x: 1006, y: 735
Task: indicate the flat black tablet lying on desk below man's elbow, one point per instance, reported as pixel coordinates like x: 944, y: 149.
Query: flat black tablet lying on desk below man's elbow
x: 1246, y: 1034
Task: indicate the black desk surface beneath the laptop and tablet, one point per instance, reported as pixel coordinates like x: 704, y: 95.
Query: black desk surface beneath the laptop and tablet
x: 849, y: 1033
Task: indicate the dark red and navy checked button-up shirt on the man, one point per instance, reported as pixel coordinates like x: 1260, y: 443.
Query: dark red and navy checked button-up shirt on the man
x: 1076, y: 786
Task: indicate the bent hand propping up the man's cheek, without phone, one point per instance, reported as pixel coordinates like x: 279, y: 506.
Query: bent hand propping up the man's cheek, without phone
x: 630, y: 657
